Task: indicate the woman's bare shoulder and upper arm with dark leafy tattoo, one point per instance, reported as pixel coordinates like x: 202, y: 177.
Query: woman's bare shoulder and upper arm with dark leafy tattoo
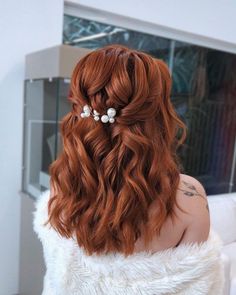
x: 192, y: 199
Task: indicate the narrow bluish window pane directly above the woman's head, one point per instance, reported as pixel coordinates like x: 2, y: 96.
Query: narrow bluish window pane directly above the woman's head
x: 90, y: 34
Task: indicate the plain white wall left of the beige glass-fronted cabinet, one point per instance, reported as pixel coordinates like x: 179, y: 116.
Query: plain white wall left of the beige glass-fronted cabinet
x: 25, y: 26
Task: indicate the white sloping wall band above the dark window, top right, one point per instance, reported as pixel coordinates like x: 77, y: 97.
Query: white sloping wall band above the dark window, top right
x: 205, y: 22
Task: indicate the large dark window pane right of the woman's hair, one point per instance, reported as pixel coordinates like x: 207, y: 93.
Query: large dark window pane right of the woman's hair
x: 204, y: 80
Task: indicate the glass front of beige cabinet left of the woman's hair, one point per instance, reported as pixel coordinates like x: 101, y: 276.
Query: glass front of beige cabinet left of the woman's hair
x: 45, y: 102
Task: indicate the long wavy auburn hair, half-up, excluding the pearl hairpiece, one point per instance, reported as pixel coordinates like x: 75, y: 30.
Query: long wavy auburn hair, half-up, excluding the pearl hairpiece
x: 108, y: 176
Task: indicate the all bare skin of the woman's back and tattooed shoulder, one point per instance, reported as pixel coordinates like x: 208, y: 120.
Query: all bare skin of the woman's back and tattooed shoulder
x: 190, y: 227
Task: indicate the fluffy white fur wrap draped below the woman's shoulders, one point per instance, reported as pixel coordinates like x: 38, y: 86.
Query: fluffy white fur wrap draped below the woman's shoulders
x: 190, y: 269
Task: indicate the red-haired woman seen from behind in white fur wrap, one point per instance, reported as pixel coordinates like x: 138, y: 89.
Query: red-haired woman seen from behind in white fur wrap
x: 120, y: 218
